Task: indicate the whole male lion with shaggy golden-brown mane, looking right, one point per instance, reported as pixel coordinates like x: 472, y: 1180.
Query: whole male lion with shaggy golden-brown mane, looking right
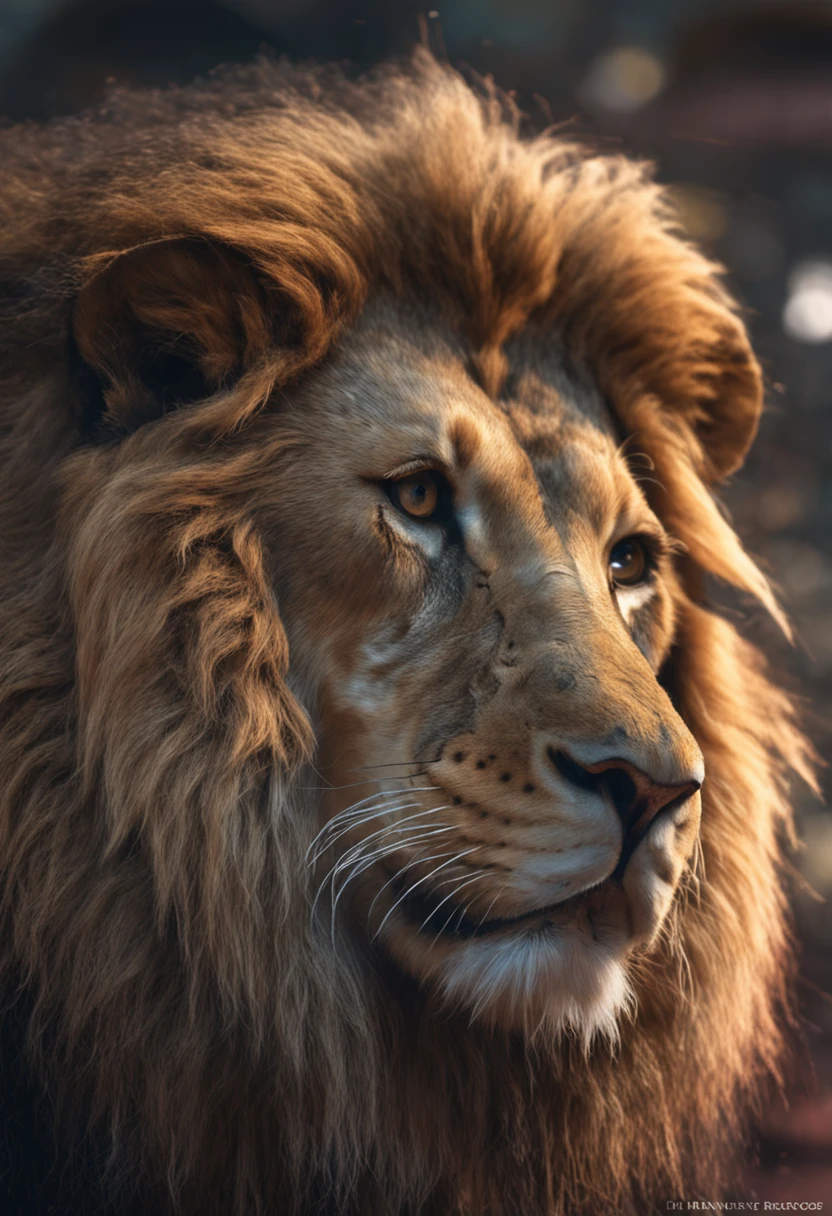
x: 390, y: 824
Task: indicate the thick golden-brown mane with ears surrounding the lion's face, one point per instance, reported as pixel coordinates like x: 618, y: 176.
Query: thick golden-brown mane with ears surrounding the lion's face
x: 155, y: 751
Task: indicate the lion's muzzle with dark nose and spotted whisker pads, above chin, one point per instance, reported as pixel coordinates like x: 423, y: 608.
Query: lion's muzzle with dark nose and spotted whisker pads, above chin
x: 559, y: 818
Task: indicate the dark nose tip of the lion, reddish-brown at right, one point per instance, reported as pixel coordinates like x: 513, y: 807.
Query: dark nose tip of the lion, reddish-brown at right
x: 634, y: 793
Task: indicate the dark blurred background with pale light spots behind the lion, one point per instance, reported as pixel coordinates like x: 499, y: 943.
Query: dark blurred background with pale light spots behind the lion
x: 733, y: 100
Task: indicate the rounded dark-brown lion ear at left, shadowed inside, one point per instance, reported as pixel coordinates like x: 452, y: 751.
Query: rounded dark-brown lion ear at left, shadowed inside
x: 164, y: 325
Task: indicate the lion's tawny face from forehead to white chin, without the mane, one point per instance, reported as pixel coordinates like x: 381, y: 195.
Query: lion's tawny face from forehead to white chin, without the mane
x: 480, y: 604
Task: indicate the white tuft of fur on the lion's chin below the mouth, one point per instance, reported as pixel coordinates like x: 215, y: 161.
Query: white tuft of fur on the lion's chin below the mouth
x: 542, y: 982
